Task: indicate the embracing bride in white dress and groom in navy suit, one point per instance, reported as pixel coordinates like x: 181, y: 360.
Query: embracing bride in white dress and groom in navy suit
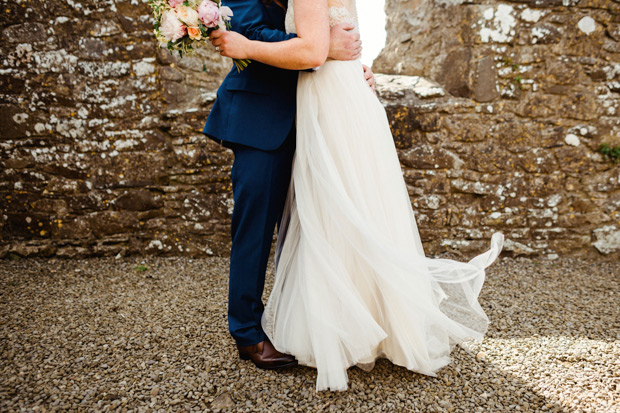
x: 315, y: 157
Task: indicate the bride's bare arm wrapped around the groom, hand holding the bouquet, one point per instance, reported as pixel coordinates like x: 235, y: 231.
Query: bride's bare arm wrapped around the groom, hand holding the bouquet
x: 309, y: 49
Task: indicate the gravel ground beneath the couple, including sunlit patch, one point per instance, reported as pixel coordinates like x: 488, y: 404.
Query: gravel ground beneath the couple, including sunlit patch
x: 150, y: 333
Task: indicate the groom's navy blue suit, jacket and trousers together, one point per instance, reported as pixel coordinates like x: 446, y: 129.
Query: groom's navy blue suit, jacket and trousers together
x: 254, y: 115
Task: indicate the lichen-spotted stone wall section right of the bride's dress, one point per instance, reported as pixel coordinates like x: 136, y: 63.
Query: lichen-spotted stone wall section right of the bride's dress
x: 530, y: 91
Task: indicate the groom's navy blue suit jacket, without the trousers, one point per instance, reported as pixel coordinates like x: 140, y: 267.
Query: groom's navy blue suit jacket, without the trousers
x: 255, y: 107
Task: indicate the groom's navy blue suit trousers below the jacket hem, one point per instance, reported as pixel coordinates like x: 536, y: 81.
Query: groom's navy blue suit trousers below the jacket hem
x: 260, y: 184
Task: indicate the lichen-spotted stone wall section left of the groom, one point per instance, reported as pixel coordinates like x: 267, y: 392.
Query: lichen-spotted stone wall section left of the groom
x: 101, y: 143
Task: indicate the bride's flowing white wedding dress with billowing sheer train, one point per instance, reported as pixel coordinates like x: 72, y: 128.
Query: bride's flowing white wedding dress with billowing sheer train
x: 352, y: 282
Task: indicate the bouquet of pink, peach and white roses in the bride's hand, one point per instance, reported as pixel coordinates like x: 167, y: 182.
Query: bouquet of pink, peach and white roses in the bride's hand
x: 183, y: 24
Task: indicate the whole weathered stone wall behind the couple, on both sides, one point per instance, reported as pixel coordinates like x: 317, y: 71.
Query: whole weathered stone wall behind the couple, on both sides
x: 101, y: 149
